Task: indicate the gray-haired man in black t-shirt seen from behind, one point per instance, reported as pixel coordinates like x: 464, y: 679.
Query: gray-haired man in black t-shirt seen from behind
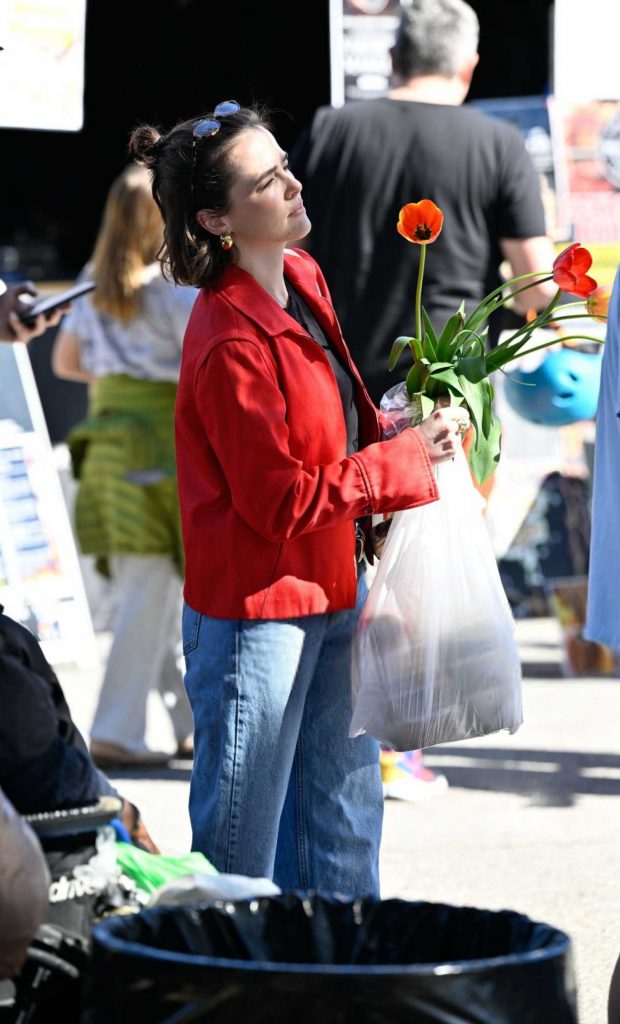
x: 360, y: 164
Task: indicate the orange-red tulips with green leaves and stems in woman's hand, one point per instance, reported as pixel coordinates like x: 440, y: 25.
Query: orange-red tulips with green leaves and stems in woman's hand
x: 453, y: 364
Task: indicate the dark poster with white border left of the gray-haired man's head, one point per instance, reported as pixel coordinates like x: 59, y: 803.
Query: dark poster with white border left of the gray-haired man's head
x: 361, y: 35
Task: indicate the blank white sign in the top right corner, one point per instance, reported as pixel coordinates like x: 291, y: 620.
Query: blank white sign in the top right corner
x: 586, y: 50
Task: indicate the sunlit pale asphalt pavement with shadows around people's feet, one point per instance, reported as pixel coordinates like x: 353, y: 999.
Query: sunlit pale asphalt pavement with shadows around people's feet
x: 530, y: 823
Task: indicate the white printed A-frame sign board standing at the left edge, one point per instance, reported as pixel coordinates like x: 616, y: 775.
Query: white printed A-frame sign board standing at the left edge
x: 40, y: 580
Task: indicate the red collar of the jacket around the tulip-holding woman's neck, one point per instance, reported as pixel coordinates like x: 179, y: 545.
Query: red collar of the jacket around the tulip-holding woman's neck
x: 243, y: 291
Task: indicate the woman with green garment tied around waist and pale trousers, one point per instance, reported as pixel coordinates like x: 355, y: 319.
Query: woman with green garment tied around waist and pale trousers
x: 126, y: 339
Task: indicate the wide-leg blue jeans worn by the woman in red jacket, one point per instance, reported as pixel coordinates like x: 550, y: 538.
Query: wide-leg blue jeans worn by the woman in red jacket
x: 278, y: 789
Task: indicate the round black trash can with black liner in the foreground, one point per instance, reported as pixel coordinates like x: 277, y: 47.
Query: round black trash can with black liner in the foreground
x: 314, y: 959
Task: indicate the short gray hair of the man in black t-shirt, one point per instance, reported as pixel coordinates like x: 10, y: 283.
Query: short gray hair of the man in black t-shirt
x: 435, y: 37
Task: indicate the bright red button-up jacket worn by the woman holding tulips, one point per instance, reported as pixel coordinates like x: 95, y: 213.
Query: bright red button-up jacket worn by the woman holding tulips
x: 268, y: 496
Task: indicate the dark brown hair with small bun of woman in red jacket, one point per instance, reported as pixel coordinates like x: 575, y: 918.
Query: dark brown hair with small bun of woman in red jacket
x: 187, y: 179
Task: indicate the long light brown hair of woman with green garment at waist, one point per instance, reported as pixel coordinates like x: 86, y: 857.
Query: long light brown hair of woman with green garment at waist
x: 131, y: 237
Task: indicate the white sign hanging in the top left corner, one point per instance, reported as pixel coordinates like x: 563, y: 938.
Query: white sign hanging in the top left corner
x: 43, y: 64
